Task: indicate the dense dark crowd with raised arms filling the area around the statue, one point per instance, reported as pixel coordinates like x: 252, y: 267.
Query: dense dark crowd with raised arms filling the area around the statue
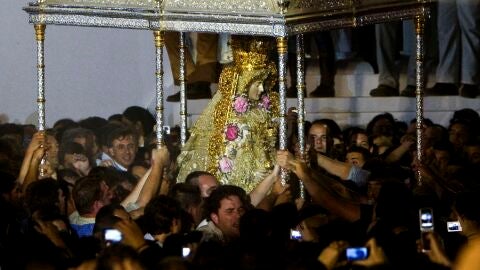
x: 99, y: 194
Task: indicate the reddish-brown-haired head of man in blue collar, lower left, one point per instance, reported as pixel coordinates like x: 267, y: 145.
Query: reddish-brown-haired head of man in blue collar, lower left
x: 90, y: 193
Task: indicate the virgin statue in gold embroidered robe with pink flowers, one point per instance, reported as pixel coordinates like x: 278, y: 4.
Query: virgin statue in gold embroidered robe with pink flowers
x: 235, y: 136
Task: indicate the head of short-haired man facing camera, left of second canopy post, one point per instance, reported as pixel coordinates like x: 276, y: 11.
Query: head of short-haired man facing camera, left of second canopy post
x: 122, y: 145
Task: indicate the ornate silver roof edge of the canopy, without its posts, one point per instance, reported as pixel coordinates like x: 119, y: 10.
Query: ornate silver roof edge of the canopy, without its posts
x: 250, y: 17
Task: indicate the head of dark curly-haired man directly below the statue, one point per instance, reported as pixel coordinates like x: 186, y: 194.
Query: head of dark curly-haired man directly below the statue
x: 224, y: 208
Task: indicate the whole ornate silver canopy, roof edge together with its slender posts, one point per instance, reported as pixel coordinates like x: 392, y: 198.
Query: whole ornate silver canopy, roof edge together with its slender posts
x: 276, y: 18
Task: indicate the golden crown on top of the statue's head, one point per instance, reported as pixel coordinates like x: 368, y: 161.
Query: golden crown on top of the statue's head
x: 250, y: 53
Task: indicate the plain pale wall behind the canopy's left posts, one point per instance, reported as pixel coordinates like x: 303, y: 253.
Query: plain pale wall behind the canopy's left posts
x: 89, y: 71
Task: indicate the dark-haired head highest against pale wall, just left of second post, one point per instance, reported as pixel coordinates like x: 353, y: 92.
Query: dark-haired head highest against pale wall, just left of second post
x: 141, y: 119
